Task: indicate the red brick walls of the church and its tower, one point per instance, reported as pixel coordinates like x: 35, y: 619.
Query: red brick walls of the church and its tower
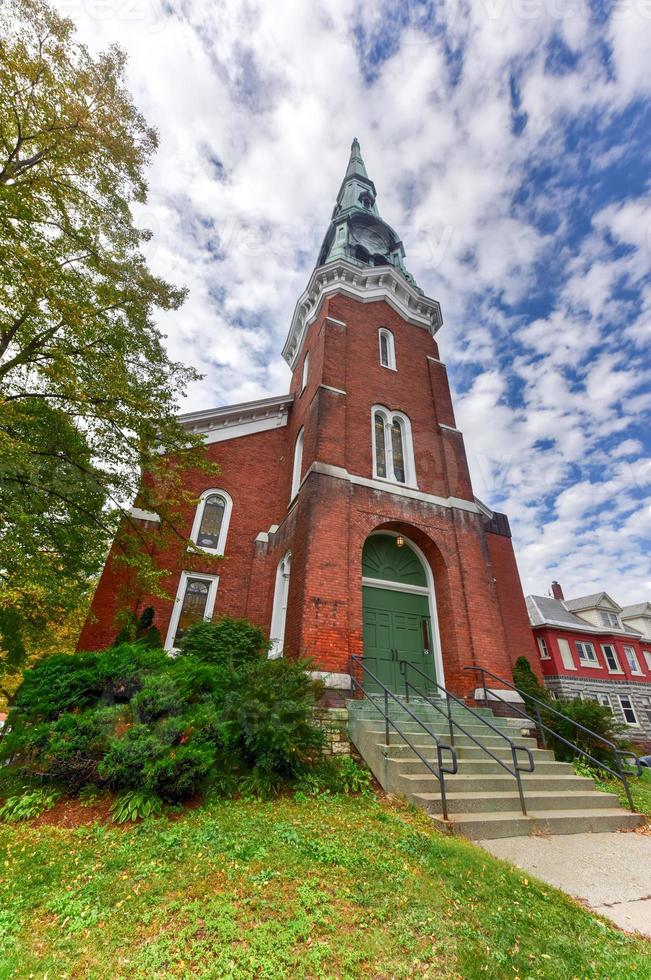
x: 478, y: 595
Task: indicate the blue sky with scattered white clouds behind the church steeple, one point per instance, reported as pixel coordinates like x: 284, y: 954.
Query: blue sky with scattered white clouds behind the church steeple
x: 509, y: 141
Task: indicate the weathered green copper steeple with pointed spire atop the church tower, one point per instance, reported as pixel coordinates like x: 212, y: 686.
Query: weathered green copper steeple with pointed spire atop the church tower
x: 357, y: 233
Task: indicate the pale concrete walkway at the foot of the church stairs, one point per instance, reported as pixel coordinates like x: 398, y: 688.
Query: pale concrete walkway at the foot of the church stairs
x: 611, y: 873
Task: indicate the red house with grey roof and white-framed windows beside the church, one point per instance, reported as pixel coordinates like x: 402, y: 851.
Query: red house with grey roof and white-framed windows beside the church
x: 591, y: 647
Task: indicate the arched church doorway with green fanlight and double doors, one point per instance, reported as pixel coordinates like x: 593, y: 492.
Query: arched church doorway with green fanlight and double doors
x: 399, y: 611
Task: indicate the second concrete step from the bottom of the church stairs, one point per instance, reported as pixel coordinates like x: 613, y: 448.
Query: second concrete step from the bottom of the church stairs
x: 426, y: 790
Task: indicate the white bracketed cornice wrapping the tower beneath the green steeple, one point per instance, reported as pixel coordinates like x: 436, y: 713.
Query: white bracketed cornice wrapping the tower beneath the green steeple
x: 368, y: 286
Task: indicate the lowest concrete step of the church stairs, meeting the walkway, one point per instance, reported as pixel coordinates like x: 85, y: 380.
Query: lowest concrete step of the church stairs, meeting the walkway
x: 491, y: 825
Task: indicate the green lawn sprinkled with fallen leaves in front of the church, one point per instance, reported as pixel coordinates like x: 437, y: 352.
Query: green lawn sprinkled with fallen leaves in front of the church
x: 326, y: 887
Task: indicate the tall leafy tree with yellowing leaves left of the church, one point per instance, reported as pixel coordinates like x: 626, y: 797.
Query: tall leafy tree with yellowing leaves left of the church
x: 88, y: 395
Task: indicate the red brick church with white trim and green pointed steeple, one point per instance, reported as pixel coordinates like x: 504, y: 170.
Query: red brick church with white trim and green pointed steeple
x: 344, y: 510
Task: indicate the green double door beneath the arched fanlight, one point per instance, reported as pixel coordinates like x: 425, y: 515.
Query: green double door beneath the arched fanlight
x: 396, y: 627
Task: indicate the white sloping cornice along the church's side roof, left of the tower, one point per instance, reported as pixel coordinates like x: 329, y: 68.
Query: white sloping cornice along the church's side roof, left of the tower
x: 234, y: 421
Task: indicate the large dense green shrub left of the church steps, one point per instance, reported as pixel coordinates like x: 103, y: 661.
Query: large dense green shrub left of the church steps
x: 132, y: 718
